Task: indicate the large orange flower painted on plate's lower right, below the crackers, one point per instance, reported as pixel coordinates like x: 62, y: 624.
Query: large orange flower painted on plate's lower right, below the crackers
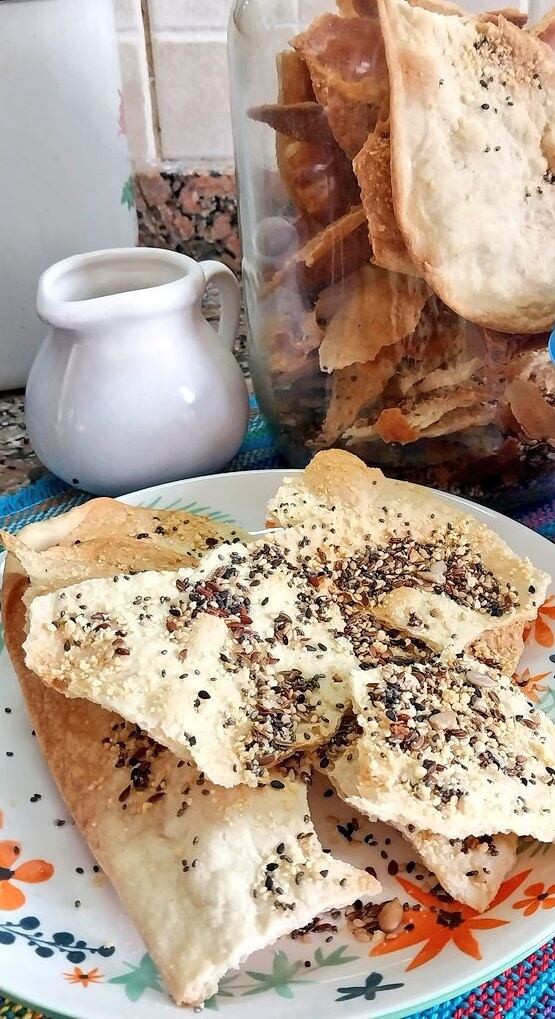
x: 443, y: 921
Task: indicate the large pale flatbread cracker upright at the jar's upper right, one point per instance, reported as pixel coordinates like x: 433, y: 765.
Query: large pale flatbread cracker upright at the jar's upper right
x: 474, y: 195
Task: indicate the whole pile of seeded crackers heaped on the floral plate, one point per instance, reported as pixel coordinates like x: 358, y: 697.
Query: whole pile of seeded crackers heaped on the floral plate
x: 186, y: 682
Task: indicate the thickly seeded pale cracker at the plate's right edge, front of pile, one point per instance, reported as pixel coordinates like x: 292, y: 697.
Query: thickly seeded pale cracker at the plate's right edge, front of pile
x: 455, y: 767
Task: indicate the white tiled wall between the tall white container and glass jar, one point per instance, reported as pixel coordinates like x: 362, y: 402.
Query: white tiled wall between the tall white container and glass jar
x: 177, y: 87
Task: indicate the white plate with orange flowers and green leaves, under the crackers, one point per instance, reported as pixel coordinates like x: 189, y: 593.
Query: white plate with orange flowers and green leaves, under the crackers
x: 68, y: 947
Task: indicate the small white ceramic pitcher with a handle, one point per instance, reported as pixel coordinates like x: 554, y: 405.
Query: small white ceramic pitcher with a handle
x: 133, y: 387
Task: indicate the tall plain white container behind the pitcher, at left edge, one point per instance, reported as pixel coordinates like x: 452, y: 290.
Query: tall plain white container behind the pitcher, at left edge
x: 65, y: 167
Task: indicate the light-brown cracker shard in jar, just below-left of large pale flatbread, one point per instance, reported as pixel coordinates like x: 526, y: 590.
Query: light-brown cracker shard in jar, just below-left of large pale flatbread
x: 375, y: 309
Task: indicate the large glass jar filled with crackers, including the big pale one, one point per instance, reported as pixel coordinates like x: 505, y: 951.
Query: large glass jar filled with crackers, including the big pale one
x: 397, y: 174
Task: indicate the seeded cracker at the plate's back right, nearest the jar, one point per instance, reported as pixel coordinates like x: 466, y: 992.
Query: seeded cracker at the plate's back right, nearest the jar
x: 473, y: 582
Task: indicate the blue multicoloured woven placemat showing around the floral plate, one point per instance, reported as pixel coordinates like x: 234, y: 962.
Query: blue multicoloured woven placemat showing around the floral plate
x: 527, y: 991
